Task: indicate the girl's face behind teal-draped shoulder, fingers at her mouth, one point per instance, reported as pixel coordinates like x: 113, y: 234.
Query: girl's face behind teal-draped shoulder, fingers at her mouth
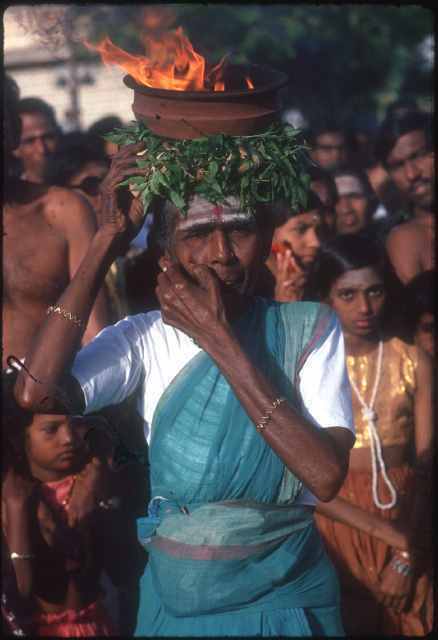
x: 301, y: 234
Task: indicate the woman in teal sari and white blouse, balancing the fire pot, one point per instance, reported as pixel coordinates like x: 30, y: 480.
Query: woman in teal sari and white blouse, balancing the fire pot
x: 247, y: 408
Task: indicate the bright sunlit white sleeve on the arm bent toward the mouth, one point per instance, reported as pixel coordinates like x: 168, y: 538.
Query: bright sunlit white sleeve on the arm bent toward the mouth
x: 324, y: 385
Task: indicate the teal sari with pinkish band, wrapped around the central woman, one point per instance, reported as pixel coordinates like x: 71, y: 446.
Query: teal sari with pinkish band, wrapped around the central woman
x: 229, y: 552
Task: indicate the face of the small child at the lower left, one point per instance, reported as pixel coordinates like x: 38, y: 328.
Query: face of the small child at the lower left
x: 54, y: 446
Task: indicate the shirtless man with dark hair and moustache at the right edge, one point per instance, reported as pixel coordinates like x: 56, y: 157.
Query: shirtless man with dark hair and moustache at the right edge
x: 404, y: 147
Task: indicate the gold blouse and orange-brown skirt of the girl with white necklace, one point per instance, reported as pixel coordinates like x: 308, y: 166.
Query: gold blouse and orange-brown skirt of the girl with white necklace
x: 359, y: 558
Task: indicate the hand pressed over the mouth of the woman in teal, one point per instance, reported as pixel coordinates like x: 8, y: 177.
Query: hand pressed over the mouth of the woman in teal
x: 196, y: 309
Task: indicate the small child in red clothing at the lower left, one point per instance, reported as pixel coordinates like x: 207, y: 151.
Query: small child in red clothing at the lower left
x: 52, y: 509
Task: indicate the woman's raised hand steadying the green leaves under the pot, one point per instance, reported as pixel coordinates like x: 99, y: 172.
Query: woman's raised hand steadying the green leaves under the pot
x: 121, y: 214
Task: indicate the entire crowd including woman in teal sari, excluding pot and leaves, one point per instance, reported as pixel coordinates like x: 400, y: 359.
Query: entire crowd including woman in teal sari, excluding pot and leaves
x: 217, y: 424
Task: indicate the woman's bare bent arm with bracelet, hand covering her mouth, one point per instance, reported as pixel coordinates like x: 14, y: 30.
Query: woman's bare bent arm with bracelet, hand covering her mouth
x: 319, y: 459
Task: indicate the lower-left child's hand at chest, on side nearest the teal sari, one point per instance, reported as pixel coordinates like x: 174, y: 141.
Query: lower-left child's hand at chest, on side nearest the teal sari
x: 88, y: 491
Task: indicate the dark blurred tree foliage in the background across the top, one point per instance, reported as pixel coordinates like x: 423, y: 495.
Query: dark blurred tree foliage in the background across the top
x: 341, y: 59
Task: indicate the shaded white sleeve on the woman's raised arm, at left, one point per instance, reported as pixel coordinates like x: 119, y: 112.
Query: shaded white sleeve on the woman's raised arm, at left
x: 112, y: 365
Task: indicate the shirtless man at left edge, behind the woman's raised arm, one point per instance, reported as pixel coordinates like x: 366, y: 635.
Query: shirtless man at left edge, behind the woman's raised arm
x: 46, y: 234
